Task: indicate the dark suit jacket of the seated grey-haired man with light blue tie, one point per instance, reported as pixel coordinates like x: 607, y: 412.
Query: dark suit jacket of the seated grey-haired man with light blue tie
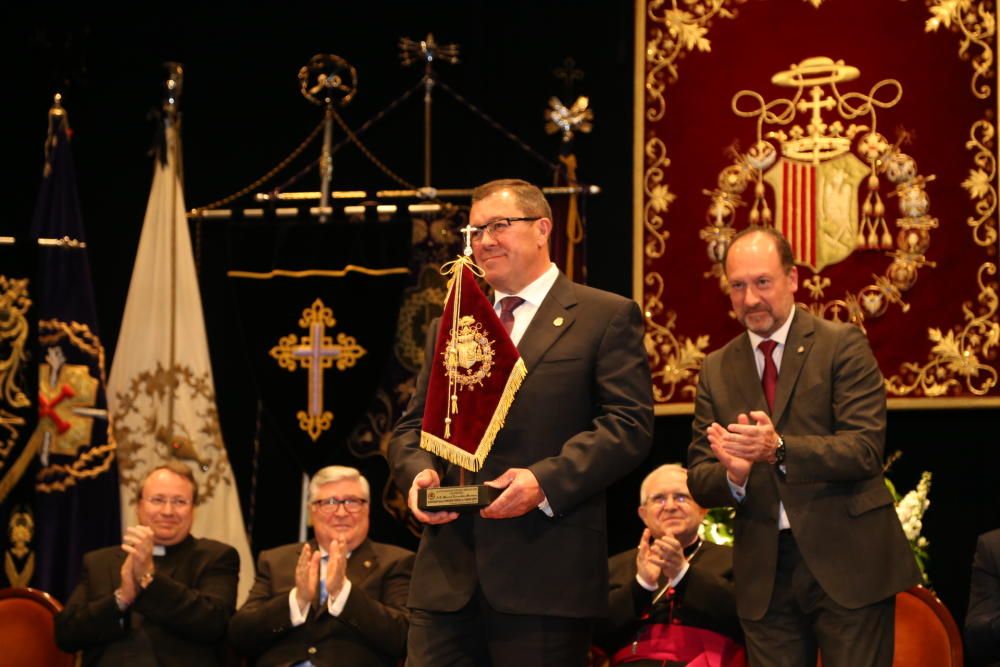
x: 371, y: 630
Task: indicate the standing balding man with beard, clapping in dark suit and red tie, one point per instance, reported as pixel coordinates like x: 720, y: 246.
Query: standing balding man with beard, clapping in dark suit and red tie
x: 790, y: 425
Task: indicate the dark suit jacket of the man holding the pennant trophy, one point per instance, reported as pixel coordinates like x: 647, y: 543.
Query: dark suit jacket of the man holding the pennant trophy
x: 582, y: 419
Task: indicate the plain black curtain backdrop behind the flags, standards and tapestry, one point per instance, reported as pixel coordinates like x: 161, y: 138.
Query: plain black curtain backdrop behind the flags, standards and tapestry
x: 243, y: 114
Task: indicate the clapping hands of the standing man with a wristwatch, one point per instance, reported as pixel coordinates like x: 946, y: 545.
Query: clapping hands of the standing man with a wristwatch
x: 742, y: 444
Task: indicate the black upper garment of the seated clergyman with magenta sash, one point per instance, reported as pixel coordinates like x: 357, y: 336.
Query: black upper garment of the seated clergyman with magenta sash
x: 704, y: 598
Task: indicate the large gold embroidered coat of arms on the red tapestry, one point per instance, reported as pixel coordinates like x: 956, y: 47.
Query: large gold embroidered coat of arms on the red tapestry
x: 816, y: 169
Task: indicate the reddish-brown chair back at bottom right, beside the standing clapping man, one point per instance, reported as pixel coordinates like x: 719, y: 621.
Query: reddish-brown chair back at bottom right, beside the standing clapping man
x: 926, y: 633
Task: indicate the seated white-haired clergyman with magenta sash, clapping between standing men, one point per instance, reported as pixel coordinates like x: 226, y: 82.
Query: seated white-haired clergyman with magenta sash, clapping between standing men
x: 672, y: 599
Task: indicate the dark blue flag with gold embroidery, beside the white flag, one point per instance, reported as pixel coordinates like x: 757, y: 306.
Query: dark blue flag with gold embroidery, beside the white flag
x: 76, y: 484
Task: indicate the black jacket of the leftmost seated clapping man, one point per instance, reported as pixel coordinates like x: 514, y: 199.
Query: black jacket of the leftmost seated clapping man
x: 180, y: 619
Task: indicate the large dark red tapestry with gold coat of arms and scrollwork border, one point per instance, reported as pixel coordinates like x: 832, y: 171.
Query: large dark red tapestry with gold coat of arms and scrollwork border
x: 860, y: 129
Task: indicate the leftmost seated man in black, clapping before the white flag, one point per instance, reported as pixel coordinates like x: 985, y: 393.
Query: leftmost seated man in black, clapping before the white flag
x: 163, y: 597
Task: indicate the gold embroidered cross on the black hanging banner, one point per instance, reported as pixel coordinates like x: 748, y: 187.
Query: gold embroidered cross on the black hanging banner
x: 316, y: 352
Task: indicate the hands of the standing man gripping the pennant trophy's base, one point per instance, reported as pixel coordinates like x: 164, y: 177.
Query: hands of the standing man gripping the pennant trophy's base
x: 522, y: 493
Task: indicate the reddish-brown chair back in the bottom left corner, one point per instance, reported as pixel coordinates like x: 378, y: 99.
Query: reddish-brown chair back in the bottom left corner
x: 27, y: 630
